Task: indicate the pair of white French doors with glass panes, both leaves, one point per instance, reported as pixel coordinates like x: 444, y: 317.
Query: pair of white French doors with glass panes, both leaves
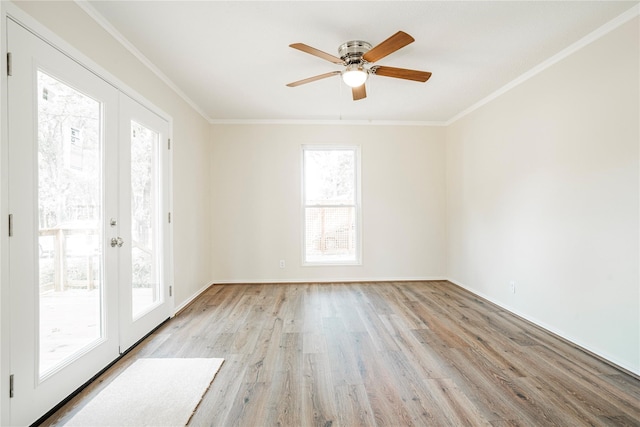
x: 87, y: 192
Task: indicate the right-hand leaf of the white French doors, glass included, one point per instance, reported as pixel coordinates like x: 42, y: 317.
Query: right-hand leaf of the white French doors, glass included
x: 145, y: 296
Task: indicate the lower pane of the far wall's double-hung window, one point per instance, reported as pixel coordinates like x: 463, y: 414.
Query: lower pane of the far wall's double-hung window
x: 330, y: 234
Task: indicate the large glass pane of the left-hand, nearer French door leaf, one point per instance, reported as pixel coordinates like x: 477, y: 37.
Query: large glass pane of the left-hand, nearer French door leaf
x: 70, y: 234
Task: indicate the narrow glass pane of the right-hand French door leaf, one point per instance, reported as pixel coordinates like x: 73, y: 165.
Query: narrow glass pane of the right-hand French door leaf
x: 145, y: 256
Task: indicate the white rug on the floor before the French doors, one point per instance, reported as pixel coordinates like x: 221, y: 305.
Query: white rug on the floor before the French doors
x: 150, y: 392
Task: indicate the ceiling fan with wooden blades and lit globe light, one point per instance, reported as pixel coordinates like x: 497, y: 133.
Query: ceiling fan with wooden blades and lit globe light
x: 356, y: 55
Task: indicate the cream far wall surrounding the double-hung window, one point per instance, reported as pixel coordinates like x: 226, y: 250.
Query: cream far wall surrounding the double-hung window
x: 256, y: 218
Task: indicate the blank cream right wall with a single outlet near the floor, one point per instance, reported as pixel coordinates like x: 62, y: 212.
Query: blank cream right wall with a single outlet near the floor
x: 543, y: 190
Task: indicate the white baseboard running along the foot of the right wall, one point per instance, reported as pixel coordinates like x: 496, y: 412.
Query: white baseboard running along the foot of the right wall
x: 556, y: 333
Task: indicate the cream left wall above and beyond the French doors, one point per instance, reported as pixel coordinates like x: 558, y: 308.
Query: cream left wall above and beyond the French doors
x: 190, y: 136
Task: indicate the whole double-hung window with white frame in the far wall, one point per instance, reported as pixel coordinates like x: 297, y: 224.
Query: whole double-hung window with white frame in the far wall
x: 331, y: 205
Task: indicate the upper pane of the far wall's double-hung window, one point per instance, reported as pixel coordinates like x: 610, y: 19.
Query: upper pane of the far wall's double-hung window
x: 329, y: 177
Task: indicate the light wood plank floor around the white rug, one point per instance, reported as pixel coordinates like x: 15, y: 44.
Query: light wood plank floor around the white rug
x: 386, y: 354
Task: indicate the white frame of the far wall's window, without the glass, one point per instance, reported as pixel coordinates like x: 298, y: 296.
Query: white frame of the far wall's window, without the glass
x: 356, y: 149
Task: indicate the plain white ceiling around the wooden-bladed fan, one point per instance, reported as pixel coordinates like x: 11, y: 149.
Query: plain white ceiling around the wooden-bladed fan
x: 231, y: 60
